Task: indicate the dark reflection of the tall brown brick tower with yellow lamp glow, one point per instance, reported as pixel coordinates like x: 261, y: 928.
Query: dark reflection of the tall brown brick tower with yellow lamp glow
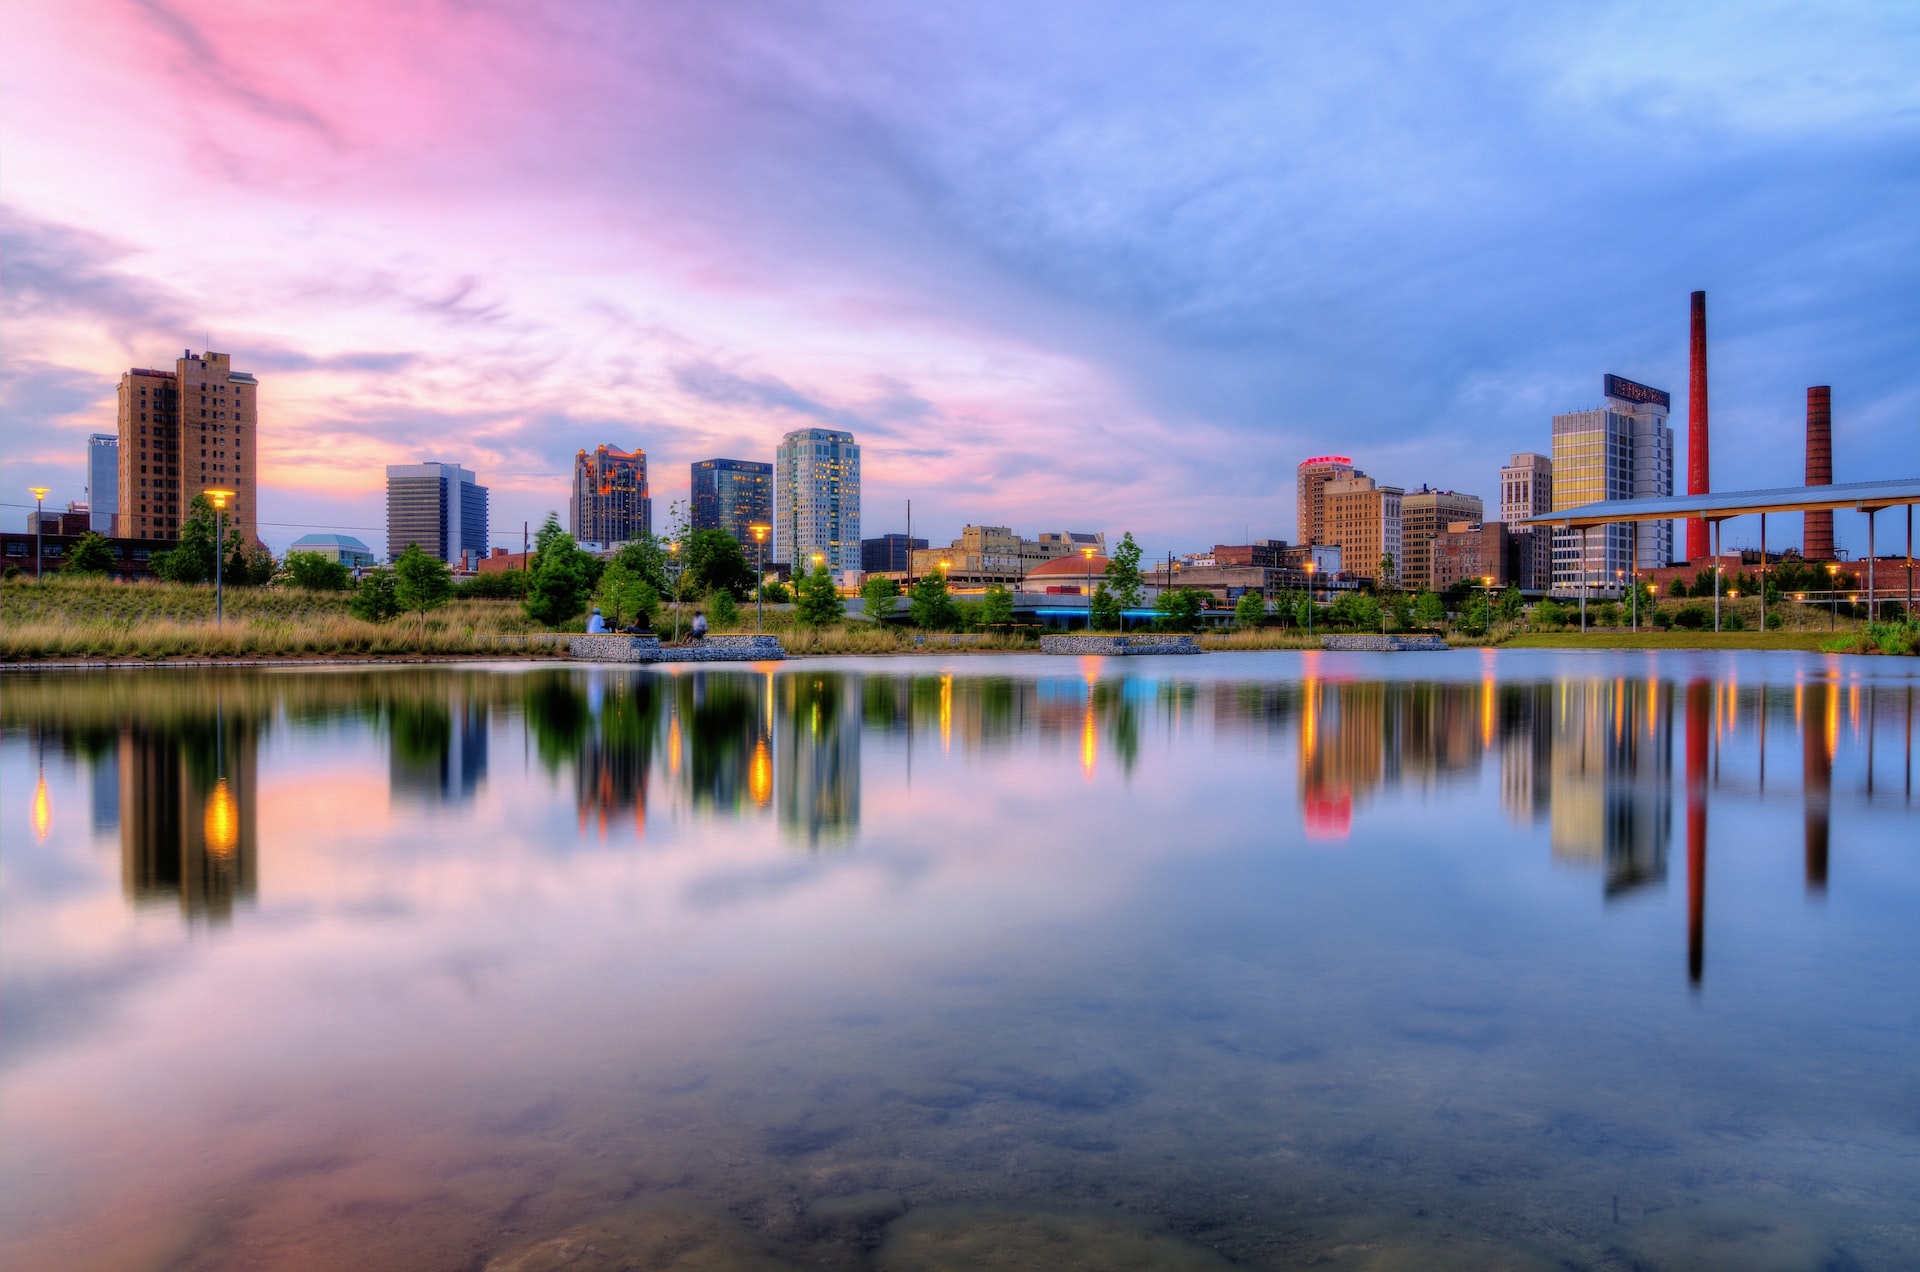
x: 189, y: 812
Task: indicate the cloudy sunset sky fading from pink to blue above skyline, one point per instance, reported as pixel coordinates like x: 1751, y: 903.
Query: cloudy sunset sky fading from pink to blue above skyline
x: 1057, y: 266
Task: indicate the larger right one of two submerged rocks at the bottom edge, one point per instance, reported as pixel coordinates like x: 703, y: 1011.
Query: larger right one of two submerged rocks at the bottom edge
x: 955, y: 1238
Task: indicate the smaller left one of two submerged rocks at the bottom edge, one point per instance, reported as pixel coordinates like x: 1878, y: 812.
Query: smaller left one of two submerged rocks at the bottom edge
x: 652, y: 1236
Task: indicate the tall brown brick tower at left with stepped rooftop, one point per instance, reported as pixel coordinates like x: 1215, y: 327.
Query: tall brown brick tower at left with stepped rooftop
x: 185, y: 431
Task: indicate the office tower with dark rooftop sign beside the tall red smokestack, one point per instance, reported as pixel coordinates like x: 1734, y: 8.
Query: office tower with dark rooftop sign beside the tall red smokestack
x: 1621, y: 451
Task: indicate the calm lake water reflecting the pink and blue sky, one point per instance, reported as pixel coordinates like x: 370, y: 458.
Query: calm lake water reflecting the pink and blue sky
x: 1347, y: 962
